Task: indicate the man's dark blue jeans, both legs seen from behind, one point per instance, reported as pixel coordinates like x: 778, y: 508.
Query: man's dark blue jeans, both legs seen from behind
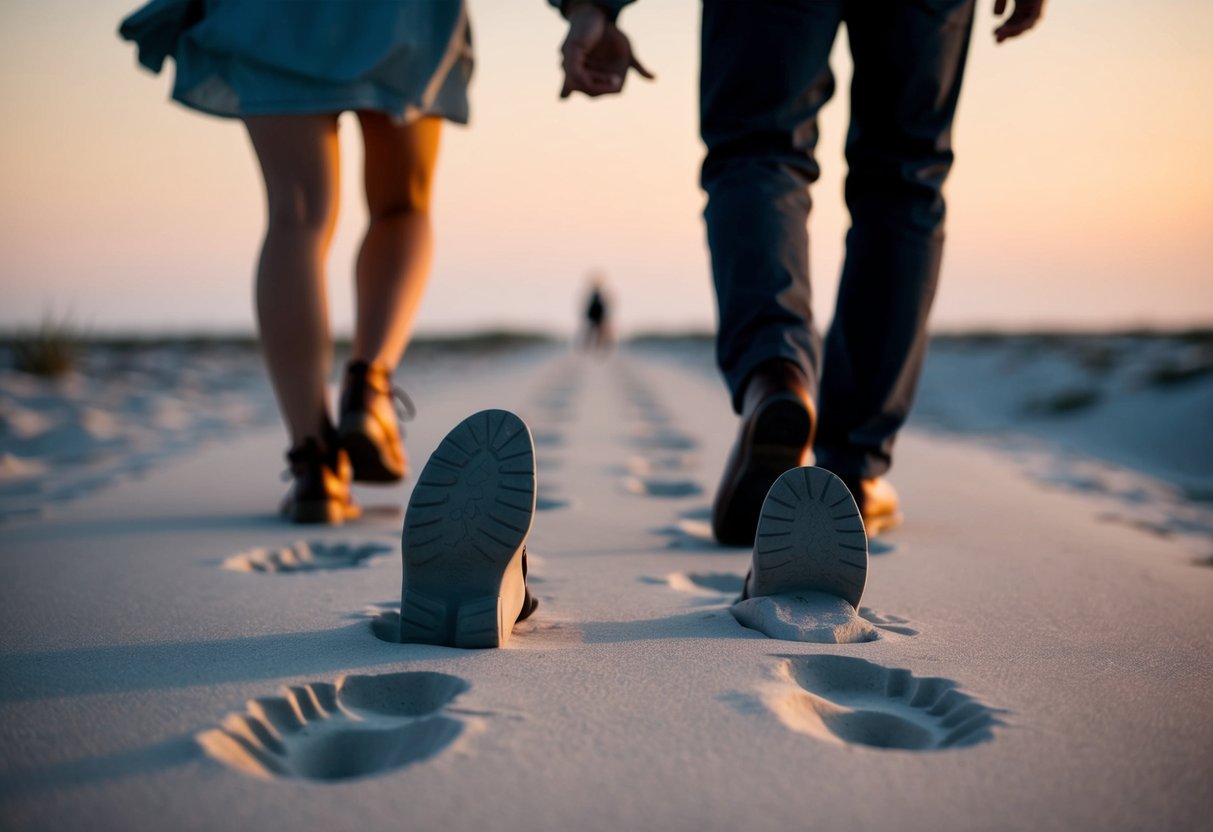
x: 765, y: 77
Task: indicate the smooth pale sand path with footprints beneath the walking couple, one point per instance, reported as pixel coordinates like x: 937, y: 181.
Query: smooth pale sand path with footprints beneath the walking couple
x: 1037, y: 668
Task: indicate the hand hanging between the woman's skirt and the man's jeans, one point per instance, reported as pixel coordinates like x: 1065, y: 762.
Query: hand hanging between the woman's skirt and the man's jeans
x: 596, y: 55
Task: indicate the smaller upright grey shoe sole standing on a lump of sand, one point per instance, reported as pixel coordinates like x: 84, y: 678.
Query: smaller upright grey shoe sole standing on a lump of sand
x: 811, y: 539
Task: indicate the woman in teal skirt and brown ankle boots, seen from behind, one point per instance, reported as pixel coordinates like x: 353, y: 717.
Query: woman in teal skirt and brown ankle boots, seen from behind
x: 288, y: 71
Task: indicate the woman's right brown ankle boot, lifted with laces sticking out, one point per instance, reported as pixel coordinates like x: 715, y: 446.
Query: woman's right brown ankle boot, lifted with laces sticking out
x: 368, y: 426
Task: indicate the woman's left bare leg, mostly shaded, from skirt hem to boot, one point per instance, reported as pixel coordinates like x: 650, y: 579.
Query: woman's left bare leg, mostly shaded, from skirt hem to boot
x: 299, y: 159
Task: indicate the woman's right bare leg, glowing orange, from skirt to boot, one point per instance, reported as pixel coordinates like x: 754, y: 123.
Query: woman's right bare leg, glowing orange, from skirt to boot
x: 395, y: 261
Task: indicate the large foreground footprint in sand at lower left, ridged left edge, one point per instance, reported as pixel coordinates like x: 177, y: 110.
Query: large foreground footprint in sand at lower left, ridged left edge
x: 360, y: 727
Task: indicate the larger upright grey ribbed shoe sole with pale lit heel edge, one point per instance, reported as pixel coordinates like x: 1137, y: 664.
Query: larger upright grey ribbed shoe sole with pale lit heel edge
x: 465, y: 532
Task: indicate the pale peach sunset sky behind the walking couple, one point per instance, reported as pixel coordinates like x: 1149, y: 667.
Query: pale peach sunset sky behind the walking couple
x: 1083, y: 195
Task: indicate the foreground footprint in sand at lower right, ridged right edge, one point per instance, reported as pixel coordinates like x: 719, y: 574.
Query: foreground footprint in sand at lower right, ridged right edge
x: 851, y: 702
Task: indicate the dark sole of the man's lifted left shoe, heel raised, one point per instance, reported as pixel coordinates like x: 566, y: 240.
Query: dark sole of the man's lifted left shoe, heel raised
x: 777, y: 441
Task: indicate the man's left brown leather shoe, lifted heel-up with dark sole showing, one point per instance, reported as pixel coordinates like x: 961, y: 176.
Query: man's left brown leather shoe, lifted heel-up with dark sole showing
x: 777, y: 434
